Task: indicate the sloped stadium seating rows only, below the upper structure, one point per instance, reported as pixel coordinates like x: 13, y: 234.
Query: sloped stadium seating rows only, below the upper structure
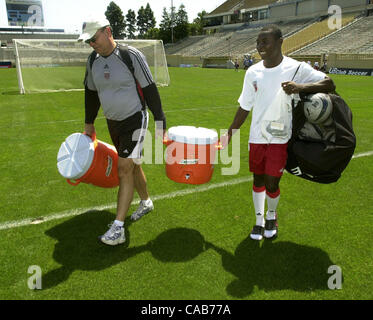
x: 304, y: 37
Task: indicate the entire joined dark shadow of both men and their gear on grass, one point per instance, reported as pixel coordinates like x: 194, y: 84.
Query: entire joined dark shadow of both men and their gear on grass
x: 277, y: 265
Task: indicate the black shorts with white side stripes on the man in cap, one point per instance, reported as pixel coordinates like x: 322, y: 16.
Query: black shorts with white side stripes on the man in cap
x: 128, y: 135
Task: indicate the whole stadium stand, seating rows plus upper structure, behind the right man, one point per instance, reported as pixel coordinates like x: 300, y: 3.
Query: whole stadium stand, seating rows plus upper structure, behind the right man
x: 305, y: 27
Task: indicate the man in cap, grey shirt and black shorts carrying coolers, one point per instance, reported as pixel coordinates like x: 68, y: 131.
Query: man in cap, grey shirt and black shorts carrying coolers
x: 109, y: 82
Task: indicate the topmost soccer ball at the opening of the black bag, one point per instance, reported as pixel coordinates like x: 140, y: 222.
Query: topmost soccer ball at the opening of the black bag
x: 317, y: 108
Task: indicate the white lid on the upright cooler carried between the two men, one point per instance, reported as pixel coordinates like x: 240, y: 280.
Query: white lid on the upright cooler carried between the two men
x: 192, y: 135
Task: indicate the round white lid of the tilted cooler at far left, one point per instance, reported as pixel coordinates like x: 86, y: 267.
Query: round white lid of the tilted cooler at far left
x: 75, y: 156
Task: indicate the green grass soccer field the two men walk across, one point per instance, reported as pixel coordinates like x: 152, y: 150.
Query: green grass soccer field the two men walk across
x: 192, y: 246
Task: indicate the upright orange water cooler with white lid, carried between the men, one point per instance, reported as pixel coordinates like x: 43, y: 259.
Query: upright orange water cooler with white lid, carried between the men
x: 190, y: 154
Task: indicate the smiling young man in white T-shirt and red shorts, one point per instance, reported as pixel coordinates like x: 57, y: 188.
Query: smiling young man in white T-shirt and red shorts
x: 267, y: 160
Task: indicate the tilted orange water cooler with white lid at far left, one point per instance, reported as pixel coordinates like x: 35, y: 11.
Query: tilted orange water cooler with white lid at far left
x: 88, y: 160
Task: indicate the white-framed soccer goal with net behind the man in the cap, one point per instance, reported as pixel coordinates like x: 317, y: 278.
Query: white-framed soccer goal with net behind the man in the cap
x: 59, y: 65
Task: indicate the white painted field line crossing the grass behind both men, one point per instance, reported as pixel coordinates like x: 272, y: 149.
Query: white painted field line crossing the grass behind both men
x: 180, y: 193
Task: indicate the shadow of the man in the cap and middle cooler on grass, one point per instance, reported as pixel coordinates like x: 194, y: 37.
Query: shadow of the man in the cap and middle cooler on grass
x: 78, y: 246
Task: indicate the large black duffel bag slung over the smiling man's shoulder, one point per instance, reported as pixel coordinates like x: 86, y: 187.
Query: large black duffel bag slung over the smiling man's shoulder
x: 320, y: 153
